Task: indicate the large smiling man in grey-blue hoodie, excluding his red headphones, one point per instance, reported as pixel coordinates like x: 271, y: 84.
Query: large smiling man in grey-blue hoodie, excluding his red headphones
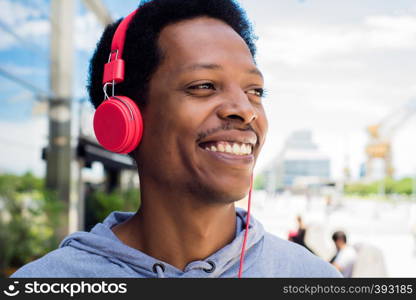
x: 190, y: 67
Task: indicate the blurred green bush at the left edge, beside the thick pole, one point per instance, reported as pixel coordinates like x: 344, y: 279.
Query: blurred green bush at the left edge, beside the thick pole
x: 29, y: 216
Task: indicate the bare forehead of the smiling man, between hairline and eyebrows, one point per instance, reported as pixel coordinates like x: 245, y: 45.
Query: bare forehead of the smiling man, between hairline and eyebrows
x: 204, y: 44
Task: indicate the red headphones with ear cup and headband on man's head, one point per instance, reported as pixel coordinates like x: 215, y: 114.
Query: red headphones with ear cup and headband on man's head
x: 118, y: 123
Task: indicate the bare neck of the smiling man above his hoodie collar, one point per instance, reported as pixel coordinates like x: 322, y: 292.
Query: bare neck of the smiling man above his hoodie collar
x: 177, y: 229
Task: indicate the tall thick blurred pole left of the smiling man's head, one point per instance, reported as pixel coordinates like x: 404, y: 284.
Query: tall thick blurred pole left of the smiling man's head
x: 59, y: 156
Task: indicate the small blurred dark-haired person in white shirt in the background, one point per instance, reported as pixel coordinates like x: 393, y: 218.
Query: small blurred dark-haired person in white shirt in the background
x: 345, y: 257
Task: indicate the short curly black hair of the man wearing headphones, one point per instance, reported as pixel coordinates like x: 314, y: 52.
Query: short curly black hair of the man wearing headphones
x: 141, y: 52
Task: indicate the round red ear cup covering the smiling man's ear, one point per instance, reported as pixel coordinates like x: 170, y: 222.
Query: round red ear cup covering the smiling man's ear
x: 118, y: 124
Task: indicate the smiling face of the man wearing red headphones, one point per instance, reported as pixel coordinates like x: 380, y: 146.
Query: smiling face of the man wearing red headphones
x: 204, y: 122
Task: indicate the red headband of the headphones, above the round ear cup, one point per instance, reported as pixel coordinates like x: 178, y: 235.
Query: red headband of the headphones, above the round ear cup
x: 114, y: 68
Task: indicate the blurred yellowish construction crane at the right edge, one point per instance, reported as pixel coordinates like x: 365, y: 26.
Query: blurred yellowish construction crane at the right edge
x: 380, y: 138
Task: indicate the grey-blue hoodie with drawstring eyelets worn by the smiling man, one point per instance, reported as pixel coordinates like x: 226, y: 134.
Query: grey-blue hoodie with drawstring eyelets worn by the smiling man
x: 99, y: 253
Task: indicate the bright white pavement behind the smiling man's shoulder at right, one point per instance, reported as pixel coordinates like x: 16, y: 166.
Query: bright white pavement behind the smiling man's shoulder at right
x: 380, y: 224
